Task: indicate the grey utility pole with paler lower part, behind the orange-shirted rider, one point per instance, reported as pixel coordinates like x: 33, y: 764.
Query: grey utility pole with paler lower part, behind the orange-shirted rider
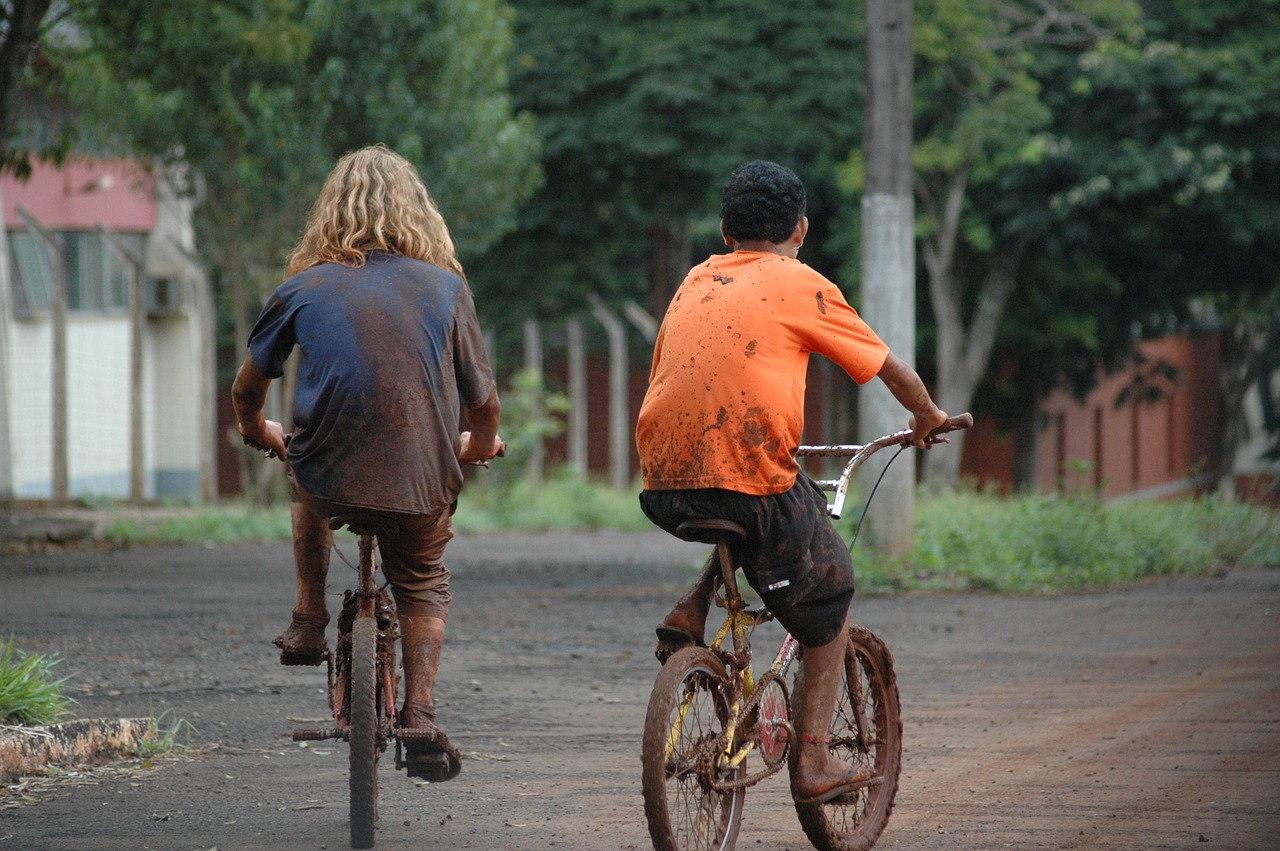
x: 889, y: 260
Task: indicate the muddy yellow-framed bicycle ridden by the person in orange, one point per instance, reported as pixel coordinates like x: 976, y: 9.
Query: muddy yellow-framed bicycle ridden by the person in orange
x: 708, y: 713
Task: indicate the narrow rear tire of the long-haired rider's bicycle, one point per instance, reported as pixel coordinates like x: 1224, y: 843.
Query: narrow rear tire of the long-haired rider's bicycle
x: 364, y: 733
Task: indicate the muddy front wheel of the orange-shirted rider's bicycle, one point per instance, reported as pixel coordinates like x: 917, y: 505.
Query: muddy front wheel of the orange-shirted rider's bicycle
x: 856, y: 822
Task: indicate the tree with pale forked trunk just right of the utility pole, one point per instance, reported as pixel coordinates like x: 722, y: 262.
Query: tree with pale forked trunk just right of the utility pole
x: 980, y: 116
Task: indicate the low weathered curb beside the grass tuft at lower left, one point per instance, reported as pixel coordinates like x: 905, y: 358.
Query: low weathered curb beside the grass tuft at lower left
x: 28, y: 749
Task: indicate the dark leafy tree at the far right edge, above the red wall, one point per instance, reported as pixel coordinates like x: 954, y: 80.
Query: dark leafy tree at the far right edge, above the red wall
x: 1167, y: 170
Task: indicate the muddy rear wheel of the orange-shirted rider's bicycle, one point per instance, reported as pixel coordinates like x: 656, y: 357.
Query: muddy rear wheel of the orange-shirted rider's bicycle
x: 684, y: 813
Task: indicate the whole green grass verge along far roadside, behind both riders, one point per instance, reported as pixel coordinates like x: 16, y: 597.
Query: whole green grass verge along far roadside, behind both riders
x: 963, y: 542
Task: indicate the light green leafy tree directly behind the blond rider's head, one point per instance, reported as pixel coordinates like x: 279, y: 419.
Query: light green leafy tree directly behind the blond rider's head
x: 253, y: 102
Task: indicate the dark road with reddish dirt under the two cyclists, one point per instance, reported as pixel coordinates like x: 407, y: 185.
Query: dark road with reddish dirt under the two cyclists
x: 1146, y: 719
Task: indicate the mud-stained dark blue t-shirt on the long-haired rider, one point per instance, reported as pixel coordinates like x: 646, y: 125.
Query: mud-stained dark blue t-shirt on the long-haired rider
x: 390, y: 351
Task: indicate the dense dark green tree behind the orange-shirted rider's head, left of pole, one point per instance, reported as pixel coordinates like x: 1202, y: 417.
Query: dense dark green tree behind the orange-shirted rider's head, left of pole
x: 644, y: 109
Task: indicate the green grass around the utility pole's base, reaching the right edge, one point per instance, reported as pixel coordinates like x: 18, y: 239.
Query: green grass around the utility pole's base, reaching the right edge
x: 1046, y: 545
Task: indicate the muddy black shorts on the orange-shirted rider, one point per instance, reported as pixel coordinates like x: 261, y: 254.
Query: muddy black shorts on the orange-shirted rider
x: 793, y: 556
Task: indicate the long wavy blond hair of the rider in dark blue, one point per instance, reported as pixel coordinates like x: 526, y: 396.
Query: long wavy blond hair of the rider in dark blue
x: 373, y: 200
